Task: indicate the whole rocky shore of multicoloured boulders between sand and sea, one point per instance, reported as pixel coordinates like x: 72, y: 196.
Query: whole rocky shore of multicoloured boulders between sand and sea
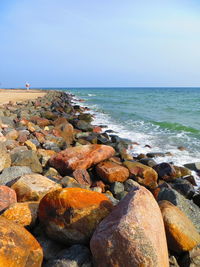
x: 71, y: 195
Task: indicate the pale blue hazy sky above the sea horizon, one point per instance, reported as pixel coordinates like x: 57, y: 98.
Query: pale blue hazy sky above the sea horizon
x: 99, y: 43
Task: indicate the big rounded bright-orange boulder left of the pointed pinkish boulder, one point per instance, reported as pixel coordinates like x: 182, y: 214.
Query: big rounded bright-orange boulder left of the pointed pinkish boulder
x: 70, y: 215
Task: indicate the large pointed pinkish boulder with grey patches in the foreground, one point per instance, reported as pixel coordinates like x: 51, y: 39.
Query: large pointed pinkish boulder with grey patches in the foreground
x: 130, y: 235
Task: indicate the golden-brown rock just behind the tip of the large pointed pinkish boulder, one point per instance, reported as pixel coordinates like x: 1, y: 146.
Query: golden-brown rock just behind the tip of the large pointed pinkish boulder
x: 143, y: 174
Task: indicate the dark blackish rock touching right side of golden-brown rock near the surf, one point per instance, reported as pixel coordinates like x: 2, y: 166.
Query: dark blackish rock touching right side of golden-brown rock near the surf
x: 165, y: 171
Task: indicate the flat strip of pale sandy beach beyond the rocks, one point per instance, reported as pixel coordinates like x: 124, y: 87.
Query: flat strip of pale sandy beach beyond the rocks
x: 17, y: 95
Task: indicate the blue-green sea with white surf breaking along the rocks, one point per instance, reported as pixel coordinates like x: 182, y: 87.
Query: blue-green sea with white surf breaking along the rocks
x: 157, y: 119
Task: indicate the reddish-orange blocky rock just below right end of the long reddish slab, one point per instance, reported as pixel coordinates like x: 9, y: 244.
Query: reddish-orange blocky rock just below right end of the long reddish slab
x: 111, y: 172
